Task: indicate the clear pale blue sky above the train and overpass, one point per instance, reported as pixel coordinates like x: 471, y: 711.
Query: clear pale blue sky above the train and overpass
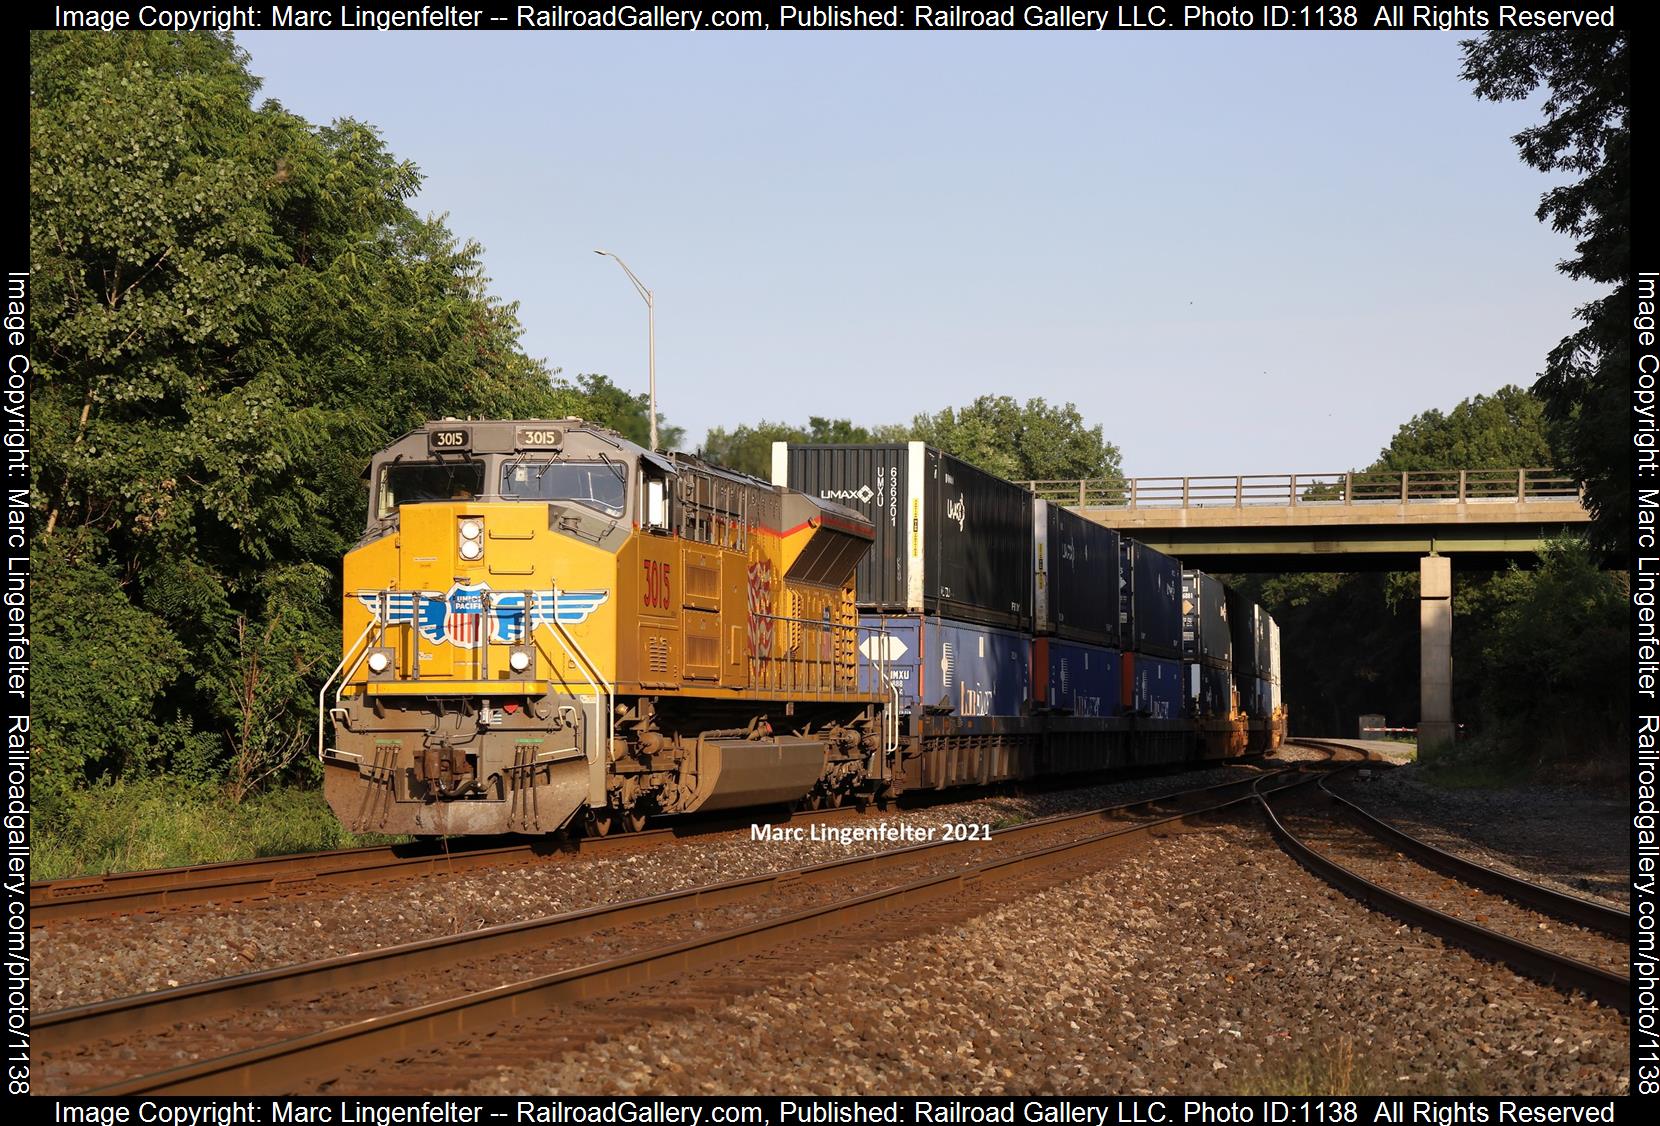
x: 1239, y: 253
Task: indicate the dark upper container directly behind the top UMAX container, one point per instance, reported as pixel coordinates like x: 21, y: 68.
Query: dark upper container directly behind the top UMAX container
x: 1077, y: 584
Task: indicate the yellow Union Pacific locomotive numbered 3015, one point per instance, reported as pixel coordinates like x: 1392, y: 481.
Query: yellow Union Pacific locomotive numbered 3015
x: 547, y: 627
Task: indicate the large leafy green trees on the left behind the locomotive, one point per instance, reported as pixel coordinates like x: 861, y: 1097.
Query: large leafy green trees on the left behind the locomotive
x: 233, y: 310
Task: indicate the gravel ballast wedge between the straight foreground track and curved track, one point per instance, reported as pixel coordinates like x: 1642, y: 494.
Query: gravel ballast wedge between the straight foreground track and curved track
x: 1211, y: 964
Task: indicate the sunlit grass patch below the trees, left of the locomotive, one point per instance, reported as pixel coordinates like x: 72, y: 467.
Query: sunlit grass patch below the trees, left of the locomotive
x: 157, y: 825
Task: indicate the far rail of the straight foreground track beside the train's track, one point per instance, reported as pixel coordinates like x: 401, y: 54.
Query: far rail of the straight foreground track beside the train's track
x: 122, y: 1017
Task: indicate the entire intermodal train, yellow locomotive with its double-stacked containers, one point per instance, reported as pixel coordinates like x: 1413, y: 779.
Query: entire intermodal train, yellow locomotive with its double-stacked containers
x: 550, y: 629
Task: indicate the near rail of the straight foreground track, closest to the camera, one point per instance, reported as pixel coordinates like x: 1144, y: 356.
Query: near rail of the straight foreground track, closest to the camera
x: 295, y: 1064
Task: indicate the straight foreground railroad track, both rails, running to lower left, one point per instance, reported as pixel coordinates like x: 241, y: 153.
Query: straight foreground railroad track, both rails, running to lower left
x: 301, y: 1027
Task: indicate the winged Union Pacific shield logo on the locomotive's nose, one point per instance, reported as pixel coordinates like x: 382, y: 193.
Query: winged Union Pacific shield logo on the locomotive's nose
x: 462, y: 617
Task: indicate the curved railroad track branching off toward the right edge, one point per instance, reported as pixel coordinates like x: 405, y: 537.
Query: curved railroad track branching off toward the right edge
x: 1467, y: 904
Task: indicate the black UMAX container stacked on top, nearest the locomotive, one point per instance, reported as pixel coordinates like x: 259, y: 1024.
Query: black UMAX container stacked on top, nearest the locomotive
x: 952, y: 541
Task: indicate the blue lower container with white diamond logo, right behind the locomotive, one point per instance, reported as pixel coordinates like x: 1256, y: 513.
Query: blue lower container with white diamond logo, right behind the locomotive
x: 950, y: 667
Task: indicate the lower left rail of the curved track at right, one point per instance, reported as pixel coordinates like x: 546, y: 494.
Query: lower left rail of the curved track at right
x: 1543, y: 966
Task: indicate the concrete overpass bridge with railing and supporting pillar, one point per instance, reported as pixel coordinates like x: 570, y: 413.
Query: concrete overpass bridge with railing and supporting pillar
x: 1347, y: 522
